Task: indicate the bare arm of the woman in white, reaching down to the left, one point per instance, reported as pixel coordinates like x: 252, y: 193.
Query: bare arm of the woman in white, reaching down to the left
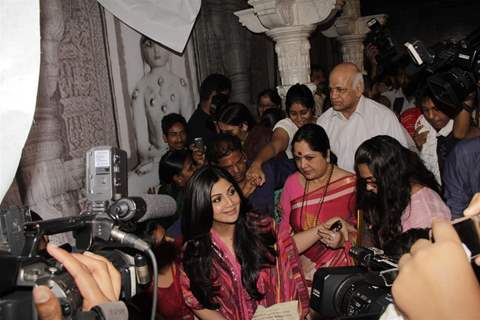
x: 278, y: 144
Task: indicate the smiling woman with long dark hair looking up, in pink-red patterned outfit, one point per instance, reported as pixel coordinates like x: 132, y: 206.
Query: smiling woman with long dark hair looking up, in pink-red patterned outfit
x: 233, y: 260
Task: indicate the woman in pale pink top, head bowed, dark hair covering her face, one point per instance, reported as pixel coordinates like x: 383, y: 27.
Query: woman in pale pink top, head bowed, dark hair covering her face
x: 395, y: 189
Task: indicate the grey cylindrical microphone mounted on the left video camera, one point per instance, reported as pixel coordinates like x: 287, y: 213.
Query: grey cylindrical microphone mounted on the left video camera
x: 146, y: 207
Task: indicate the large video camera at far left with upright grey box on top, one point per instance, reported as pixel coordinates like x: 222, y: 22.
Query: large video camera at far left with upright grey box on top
x: 24, y: 266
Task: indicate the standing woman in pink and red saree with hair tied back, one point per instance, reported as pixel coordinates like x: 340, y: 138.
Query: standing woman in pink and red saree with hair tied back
x: 318, y: 203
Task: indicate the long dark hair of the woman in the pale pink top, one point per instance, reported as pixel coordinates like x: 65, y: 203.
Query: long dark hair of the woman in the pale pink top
x: 395, y: 168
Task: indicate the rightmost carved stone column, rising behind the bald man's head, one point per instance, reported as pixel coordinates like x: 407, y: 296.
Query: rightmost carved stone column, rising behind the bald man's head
x: 350, y: 29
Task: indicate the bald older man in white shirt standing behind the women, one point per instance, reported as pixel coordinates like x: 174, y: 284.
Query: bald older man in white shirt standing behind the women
x: 355, y: 118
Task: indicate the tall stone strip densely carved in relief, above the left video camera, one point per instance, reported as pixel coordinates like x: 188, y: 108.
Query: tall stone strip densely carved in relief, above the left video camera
x: 84, y: 85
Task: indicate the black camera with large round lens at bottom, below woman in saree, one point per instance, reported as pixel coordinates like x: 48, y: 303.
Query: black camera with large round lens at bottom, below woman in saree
x: 359, y: 292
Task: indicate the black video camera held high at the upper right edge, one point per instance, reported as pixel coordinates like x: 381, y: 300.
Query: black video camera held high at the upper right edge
x: 453, y: 68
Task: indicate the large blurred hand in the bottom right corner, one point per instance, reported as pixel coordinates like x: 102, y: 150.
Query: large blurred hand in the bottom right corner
x: 436, y: 280
